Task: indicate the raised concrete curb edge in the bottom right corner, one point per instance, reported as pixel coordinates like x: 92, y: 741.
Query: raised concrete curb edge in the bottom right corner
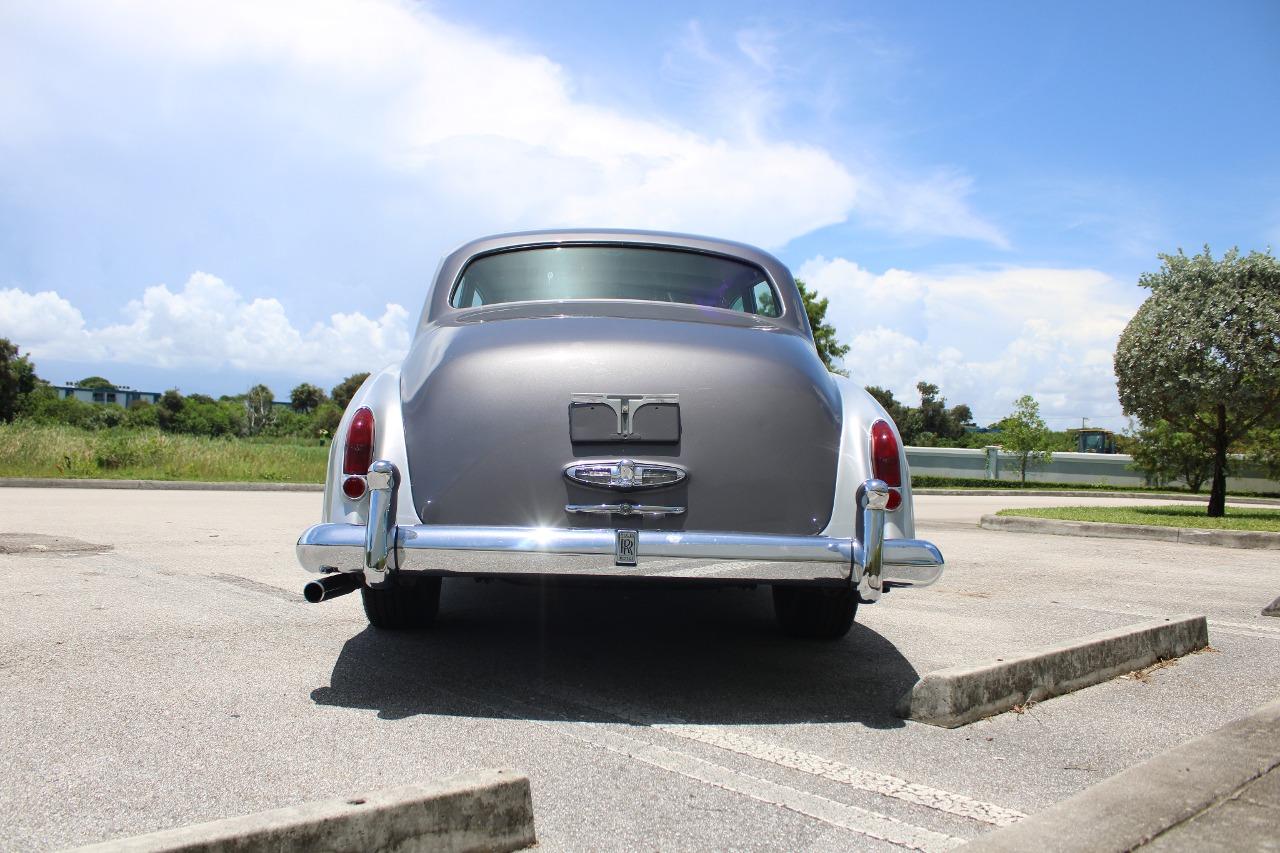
x: 1154, y: 799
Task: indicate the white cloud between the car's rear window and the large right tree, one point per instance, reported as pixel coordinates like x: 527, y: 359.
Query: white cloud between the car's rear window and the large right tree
x: 984, y: 336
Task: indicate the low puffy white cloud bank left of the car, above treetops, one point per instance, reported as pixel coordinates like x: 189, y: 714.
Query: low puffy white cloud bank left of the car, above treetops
x: 207, y: 326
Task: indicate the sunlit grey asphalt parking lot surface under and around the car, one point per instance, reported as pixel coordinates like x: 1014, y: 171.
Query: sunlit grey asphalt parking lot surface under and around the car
x: 161, y: 668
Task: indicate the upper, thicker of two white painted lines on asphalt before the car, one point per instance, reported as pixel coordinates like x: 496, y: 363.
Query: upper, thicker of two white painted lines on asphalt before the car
x: 876, y: 783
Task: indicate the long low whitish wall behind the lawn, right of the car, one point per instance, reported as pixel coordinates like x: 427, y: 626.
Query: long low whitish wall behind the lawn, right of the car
x: 1095, y: 469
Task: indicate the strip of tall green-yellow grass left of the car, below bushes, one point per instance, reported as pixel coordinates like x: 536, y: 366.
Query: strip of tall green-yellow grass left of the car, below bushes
x: 33, y: 450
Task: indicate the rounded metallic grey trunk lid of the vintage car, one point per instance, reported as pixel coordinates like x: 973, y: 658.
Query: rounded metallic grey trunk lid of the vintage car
x: 487, y: 404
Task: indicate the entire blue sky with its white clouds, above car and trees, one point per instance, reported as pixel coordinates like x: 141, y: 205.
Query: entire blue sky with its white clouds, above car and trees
x: 208, y: 195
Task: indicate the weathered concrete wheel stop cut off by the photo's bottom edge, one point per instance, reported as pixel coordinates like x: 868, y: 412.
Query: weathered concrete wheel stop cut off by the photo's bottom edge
x: 490, y: 810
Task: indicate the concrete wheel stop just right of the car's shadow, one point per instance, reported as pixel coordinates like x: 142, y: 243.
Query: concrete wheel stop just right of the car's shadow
x: 964, y: 695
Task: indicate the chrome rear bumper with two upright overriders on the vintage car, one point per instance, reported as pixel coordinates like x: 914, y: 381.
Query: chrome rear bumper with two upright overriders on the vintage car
x: 348, y: 554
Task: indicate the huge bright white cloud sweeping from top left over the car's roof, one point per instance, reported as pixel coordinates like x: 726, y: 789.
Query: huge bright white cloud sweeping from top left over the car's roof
x: 486, y: 130
